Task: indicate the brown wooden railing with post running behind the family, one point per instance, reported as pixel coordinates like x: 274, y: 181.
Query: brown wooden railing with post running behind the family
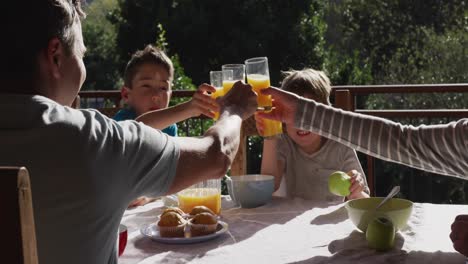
x: 344, y: 97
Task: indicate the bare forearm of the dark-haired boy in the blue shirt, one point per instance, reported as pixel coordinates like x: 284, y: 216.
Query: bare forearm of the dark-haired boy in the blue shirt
x: 163, y: 118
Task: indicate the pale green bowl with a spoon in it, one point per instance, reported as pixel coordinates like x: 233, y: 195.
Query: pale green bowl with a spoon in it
x: 361, y: 211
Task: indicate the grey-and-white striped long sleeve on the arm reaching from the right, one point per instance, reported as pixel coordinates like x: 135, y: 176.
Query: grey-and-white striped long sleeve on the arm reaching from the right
x: 441, y: 149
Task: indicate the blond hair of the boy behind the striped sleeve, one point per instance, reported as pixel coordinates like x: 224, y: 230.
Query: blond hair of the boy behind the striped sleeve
x: 308, y: 82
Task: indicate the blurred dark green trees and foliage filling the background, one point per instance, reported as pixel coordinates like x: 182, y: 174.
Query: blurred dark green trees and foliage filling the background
x: 354, y: 41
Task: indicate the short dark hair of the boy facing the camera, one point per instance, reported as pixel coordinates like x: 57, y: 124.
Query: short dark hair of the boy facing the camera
x: 151, y: 55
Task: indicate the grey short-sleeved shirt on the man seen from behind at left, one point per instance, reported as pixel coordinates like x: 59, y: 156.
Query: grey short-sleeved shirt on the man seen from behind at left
x: 84, y: 170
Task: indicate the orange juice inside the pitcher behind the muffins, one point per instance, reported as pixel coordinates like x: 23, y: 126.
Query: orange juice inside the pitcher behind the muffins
x: 209, y: 197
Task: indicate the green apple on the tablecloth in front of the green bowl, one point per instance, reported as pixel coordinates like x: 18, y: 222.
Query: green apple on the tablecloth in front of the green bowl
x: 380, y: 234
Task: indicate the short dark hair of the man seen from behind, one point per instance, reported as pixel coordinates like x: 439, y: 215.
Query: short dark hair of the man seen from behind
x: 27, y: 27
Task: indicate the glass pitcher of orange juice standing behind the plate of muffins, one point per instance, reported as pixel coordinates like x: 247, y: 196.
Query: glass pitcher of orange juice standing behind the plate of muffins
x: 207, y: 193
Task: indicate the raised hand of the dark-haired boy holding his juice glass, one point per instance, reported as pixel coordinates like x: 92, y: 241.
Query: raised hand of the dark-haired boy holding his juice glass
x: 202, y: 103
